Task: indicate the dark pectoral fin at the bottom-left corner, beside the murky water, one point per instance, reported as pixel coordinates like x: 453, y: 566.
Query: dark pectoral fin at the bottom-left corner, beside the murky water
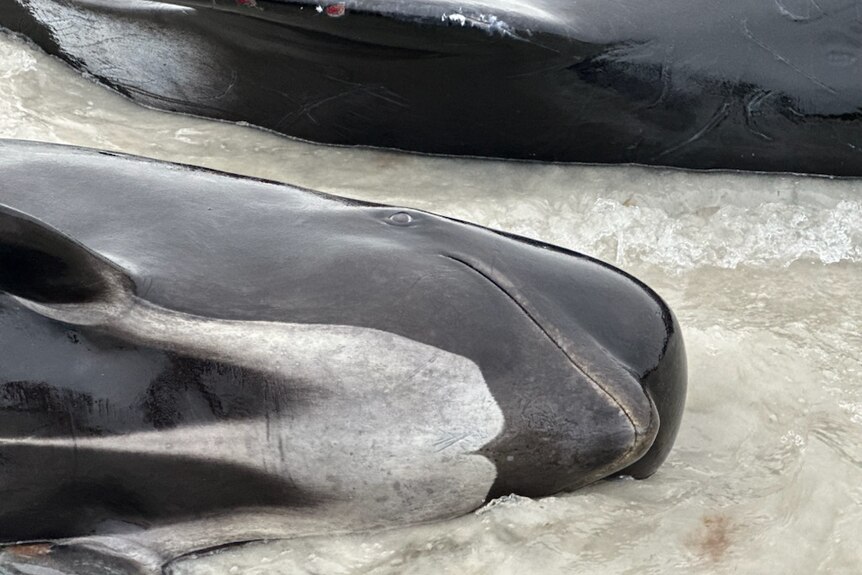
x: 73, y: 558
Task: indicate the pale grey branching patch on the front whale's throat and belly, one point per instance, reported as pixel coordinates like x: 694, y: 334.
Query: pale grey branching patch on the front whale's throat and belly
x: 387, y: 432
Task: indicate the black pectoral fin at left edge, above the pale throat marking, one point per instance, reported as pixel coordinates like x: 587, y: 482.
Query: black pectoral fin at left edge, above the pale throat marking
x: 40, y: 264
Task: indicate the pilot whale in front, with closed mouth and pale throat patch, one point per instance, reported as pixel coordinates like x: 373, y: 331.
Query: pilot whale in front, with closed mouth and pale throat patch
x: 192, y: 359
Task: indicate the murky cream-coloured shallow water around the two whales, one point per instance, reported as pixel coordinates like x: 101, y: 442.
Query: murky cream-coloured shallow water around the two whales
x: 763, y: 272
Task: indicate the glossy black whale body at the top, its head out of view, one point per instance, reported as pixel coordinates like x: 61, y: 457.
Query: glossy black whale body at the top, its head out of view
x: 700, y: 84
